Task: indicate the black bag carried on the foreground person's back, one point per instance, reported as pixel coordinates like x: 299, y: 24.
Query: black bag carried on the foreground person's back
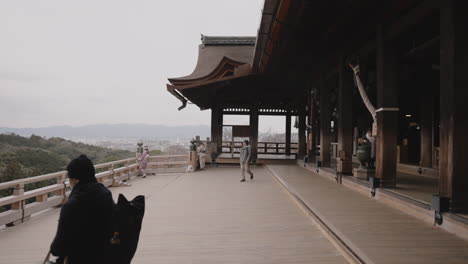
x: 126, y: 227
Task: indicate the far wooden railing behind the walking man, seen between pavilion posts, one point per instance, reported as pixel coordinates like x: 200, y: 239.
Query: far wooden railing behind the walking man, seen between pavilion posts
x: 273, y: 148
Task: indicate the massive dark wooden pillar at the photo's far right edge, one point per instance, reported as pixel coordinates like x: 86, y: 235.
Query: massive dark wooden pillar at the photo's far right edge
x: 453, y: 165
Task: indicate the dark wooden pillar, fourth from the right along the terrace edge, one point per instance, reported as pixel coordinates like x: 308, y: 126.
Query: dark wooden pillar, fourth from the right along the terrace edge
x: 325, y: 124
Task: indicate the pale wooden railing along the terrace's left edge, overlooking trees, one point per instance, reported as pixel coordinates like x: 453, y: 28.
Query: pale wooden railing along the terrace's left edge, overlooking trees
x: 22, y: 204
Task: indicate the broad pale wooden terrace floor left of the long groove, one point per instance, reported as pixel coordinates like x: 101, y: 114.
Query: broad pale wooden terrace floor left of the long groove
x: 203, y: 217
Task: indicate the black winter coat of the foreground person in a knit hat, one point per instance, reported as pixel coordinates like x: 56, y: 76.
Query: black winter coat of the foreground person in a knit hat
x: 84, y: 225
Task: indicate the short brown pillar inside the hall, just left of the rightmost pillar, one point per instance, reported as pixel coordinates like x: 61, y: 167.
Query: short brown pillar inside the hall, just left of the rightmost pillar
x: 427, y: 121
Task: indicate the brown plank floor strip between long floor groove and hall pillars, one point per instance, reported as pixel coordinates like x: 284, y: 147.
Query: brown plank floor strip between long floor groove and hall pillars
x: 377, y: 232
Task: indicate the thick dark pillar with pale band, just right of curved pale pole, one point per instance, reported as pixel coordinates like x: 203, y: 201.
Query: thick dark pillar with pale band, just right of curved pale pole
x: 387, y: 112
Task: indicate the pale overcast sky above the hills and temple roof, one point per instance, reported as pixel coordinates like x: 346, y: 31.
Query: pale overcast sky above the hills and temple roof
x: 107, y: 61
